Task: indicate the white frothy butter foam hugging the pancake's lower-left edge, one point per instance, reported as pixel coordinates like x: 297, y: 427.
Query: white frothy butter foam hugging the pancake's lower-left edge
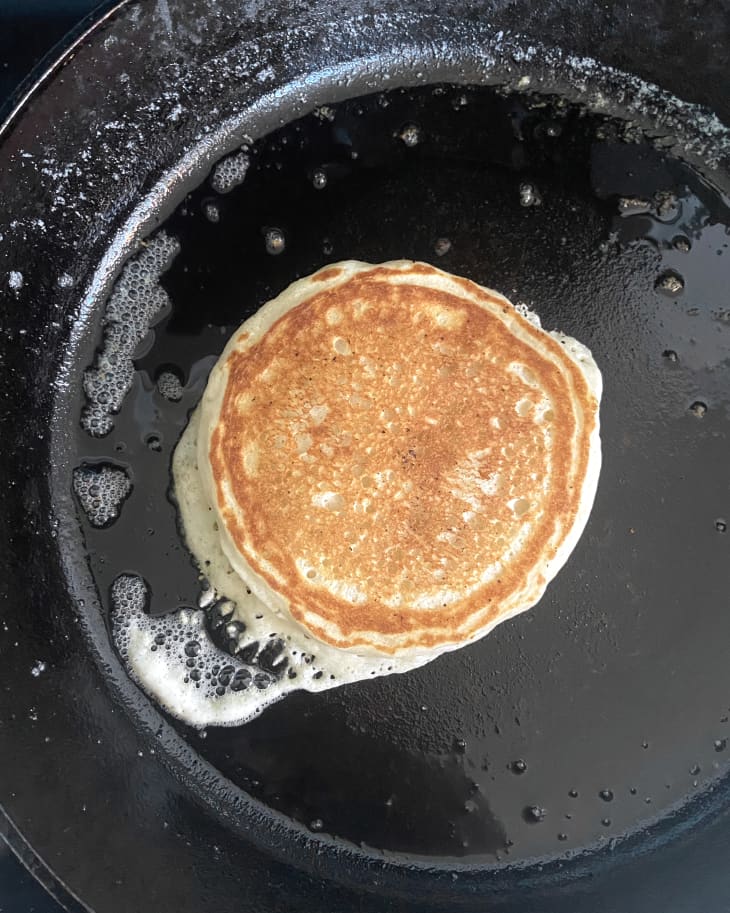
x: 173, y: 657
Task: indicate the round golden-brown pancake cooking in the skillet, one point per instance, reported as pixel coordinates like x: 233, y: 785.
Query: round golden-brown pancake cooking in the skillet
x: 395, y: 459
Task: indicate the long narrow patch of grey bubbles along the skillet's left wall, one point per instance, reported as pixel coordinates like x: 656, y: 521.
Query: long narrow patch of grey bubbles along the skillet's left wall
x: 136, y: 302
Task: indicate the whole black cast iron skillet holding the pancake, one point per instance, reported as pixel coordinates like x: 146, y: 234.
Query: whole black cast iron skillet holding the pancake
x: 615, y: 688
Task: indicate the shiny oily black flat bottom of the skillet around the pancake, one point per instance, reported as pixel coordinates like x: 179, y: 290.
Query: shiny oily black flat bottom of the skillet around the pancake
x: 589, y: 690
